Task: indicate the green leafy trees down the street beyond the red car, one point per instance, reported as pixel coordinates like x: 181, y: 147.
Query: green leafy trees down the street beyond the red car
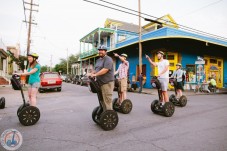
x: 62, y: 66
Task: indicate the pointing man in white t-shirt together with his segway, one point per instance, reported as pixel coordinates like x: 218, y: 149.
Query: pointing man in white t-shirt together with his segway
x: 161, y: 106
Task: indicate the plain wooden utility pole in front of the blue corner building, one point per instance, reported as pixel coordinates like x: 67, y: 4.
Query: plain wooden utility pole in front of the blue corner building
x: 140, y: 45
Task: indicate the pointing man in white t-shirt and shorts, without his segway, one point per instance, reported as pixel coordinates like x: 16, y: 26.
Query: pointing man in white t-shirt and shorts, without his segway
x: 163, y: 74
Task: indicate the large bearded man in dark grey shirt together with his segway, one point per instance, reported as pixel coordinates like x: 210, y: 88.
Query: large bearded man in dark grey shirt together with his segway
x: 103, y: 114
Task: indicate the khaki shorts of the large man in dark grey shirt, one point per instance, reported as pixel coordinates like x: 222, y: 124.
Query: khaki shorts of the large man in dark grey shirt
x: 107, y: 93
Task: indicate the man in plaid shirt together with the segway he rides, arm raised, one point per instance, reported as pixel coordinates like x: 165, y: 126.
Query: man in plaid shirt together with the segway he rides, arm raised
x: 122, y: 104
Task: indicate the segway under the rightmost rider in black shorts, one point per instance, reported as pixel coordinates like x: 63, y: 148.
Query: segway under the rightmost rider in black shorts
x: 182, y: 101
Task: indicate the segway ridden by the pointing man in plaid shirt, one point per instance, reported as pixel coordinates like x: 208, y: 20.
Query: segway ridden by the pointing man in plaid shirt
x: 126, y: 105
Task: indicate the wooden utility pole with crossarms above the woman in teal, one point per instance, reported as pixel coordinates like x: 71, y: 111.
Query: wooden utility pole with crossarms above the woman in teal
x: 30, y: 23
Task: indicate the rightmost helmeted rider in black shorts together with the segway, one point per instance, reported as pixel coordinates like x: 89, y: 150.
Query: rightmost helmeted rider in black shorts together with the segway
x: 177, y: 80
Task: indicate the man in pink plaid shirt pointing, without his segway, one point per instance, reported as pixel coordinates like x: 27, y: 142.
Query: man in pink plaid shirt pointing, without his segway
x: 122, y: 71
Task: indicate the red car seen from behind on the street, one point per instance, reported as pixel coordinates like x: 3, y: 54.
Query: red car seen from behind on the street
x: 50, y: 80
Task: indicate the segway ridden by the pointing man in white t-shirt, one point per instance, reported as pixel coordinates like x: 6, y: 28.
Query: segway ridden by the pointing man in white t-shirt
x: 168, y: 108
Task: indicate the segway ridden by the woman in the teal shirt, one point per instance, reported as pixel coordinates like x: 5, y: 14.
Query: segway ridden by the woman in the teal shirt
x: 28, y: 115
